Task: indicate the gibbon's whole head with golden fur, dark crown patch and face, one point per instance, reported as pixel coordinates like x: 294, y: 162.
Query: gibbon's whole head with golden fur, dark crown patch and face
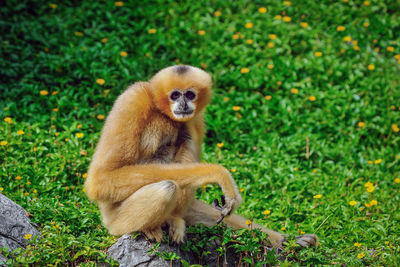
x: 181, y: 91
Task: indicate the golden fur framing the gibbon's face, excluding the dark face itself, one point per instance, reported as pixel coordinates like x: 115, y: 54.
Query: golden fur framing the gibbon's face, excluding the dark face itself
x: 180, y: 78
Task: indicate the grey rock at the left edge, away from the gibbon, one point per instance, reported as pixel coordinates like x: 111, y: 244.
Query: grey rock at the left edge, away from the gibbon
x: 14, y: 226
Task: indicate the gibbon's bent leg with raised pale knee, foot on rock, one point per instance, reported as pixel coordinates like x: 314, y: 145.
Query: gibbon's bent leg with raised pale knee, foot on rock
x: 145, y: 210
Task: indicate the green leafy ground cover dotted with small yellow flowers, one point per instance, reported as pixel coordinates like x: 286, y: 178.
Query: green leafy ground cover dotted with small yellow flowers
x: 306, y: 104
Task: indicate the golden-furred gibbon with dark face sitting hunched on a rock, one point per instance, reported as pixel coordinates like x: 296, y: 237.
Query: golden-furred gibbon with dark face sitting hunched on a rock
x: 146, y: 166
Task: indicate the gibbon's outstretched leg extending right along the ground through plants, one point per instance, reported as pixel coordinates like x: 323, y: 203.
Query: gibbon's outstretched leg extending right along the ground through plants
x: 200, y: 212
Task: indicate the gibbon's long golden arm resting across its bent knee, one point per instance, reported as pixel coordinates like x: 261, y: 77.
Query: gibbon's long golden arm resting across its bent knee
x: 121, y: 183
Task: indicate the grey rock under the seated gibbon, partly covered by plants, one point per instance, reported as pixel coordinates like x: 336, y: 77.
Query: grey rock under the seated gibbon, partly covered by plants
x: 131, y: 252
